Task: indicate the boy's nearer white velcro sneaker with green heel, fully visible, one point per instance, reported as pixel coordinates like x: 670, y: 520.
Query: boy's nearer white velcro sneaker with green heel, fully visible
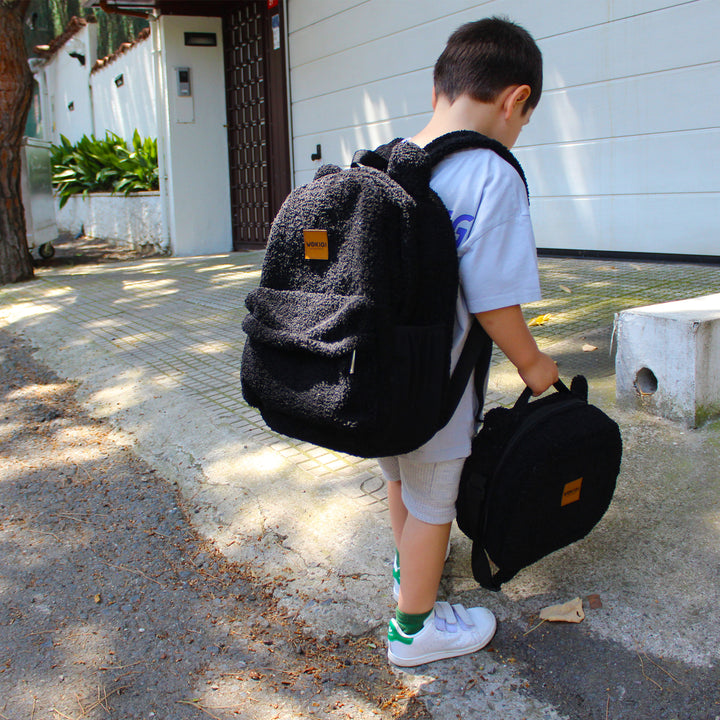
x: 449, y: 631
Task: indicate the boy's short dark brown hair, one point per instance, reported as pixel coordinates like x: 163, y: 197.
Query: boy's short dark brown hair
x: 484, y: 57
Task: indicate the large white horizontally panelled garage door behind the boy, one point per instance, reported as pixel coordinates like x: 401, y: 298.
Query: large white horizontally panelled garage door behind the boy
x: 622, y: 153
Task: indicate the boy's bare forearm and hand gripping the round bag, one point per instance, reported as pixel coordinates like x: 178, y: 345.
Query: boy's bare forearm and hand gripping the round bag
x: 508, y: 330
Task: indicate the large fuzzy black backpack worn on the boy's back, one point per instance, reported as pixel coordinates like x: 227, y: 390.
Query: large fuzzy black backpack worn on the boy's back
x: 353, y: 352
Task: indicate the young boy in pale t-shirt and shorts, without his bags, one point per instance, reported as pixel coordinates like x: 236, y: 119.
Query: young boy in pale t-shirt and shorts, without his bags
x: 488, y: 79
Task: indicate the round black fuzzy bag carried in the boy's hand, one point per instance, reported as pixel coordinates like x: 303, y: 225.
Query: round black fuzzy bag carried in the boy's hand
x: 541, y: 476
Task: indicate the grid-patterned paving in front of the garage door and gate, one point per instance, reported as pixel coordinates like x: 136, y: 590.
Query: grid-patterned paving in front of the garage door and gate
x: 180, y: 319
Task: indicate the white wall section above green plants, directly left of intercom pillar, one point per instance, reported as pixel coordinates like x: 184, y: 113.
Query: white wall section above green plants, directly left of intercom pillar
x: 131, y: 106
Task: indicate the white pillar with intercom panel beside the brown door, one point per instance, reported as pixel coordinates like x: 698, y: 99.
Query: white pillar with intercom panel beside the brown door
x: 198, y: 175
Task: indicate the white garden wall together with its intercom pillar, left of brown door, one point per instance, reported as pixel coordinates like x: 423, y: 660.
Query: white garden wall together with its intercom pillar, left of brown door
x: 191, y: 132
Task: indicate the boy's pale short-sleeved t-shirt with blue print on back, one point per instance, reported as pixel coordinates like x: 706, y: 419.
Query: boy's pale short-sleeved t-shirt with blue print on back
x: 488, y: 205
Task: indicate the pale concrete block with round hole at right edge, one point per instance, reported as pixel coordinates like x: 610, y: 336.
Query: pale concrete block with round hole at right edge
x: 668, y: 359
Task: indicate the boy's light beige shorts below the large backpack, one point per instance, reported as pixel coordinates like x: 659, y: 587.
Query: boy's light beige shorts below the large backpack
x: 429, y: 490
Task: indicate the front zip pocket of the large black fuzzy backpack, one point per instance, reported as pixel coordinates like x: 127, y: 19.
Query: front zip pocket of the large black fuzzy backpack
x: 300, y: 357
